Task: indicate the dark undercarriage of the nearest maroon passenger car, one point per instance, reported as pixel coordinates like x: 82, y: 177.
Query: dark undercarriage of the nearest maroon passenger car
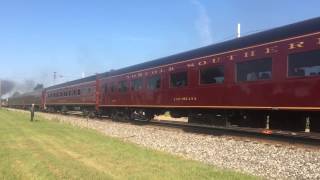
x: 295, y: 121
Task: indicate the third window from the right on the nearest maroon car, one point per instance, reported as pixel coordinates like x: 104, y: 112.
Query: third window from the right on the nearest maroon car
x: 212, y: 75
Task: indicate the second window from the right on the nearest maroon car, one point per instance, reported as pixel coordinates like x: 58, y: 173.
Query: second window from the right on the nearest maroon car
x: 254, y: 70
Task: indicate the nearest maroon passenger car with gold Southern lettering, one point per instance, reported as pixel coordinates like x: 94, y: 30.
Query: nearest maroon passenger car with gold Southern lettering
x: 272, y: 74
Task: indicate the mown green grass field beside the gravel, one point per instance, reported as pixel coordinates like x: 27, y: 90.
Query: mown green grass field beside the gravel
x: 51, y: 150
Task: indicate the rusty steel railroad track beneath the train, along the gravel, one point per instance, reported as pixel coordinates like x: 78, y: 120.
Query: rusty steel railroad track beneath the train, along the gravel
x: 307, y: 138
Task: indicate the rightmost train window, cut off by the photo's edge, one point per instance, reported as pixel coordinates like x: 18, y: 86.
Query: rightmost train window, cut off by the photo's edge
x: 304, y: 64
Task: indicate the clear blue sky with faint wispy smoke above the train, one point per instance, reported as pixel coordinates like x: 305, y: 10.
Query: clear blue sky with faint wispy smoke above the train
x: 76, y: 37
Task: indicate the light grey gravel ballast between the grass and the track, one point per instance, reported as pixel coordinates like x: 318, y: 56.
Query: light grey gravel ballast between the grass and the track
x: 269, y: 160
